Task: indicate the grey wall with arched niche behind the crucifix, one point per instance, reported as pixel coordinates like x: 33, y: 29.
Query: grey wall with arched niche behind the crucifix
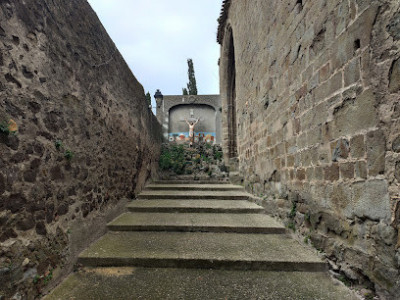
x: 174, y: 112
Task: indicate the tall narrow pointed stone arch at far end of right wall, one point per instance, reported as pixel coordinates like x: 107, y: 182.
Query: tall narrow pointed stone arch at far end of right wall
x: 228, y: 95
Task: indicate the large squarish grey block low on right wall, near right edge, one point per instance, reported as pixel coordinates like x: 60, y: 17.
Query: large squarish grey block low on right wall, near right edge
x: 371, y: 200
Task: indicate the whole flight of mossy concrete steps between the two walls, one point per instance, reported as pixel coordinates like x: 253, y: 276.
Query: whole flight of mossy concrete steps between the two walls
x: 198, y: 241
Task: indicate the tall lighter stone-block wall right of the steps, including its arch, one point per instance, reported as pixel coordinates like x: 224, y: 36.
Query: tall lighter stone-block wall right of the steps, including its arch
x: 314, y: 87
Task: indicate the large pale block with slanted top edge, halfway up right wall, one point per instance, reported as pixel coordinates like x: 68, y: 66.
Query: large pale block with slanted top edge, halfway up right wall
x: 354, y: 115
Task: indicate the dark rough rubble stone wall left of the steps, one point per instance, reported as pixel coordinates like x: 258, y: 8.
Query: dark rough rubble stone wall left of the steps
x: 86, y: 138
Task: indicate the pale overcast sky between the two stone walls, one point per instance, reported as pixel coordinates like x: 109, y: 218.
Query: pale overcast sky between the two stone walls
x: 156, y: 37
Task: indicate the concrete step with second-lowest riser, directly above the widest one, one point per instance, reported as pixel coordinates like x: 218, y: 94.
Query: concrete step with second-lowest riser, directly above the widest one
x: 205, y: 222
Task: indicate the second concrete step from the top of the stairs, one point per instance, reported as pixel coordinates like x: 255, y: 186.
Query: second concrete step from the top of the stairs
x: 193, y: 195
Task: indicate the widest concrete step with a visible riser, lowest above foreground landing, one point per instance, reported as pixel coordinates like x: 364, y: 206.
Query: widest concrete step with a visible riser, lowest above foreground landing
x: 272, y: 252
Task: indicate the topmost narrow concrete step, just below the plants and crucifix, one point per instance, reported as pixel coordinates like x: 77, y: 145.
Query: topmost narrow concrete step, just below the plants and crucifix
x: 195, y: 187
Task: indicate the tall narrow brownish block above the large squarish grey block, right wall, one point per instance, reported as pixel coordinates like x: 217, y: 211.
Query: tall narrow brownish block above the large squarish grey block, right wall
x: 376, y: 150
